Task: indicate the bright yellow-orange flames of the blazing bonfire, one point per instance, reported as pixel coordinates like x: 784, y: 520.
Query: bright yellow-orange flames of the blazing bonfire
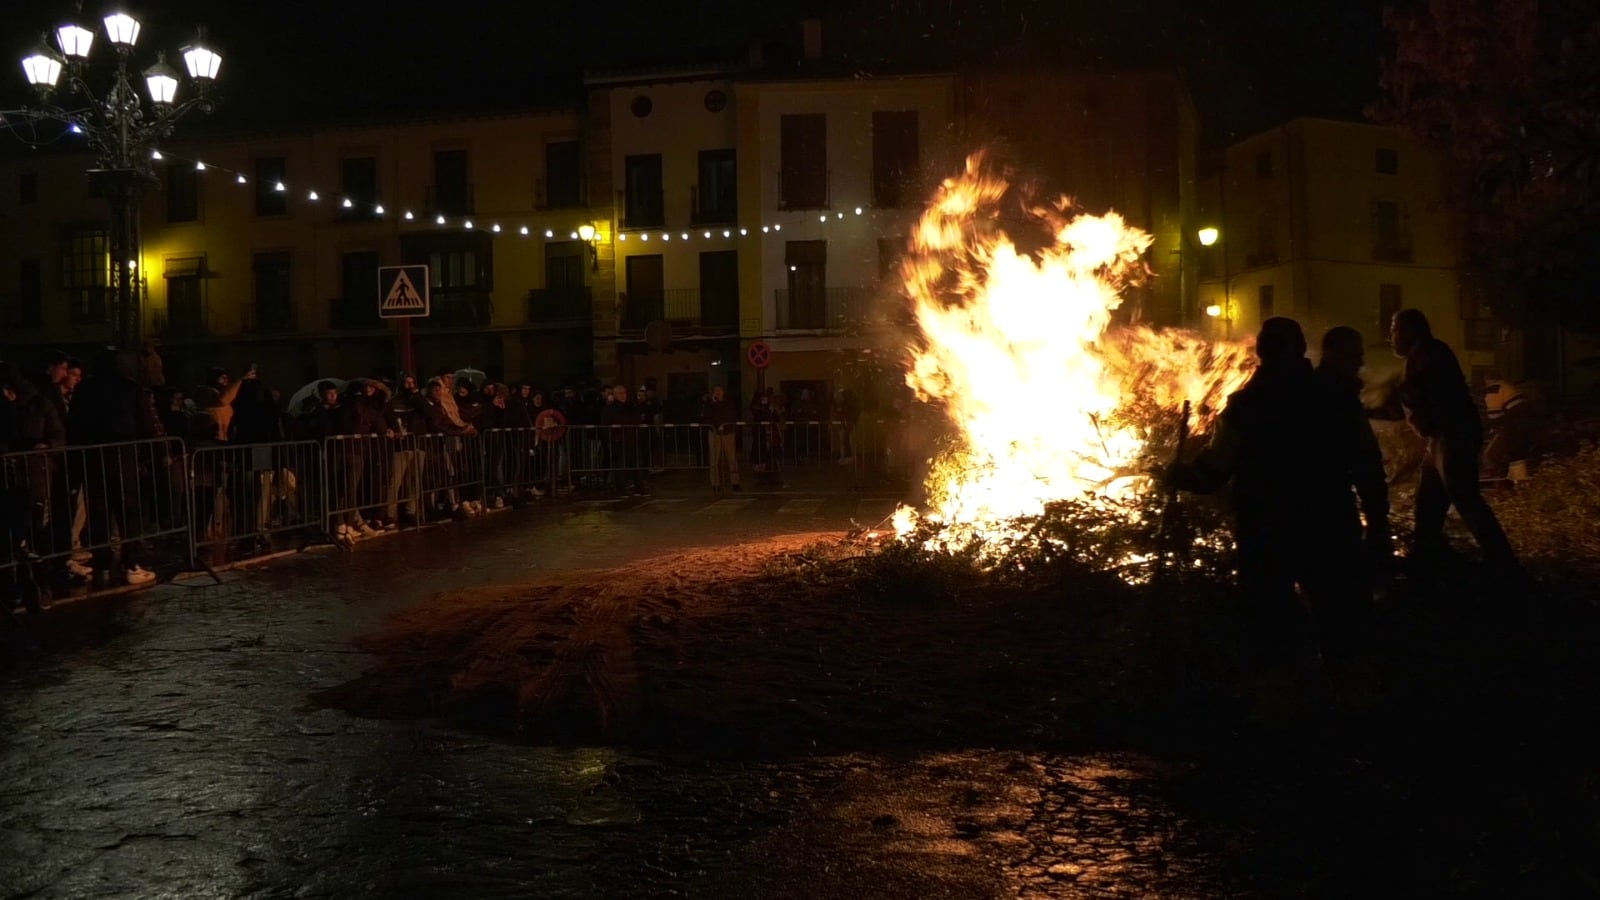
x: 1022, y: 353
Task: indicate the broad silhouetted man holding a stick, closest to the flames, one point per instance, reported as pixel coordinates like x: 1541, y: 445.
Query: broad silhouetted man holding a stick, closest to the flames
x: 1290, y: 448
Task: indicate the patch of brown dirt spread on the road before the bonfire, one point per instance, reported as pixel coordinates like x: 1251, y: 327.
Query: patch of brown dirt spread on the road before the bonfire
x: 782, y: 646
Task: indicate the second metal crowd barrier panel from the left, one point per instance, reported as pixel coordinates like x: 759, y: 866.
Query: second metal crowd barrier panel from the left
x: 244, y: 496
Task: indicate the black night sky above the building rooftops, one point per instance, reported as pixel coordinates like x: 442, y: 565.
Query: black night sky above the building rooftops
x: 1252, y: 62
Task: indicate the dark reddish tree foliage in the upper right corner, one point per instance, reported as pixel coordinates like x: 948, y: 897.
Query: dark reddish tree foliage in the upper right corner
x: 1510, y: 90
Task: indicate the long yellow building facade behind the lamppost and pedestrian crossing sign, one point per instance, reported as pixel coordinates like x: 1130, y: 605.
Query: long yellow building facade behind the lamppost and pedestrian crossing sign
x: 266, y: 249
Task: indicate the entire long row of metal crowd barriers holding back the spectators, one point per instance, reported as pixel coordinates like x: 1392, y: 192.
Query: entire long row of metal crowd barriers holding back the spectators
x: 86, y: 504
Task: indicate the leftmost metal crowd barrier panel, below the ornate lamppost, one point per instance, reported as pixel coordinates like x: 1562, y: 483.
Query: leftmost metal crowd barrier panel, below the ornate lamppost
x: 98, y: 505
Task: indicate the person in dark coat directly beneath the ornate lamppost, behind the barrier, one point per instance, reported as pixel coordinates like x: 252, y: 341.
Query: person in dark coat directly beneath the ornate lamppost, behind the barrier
x: 113, y: 408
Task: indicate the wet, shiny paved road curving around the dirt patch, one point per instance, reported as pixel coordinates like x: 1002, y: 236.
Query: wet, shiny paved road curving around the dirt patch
x: 174, y: 755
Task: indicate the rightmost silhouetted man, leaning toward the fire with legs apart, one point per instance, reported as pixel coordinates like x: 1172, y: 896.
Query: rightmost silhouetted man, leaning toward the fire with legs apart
x: 1439, y: 408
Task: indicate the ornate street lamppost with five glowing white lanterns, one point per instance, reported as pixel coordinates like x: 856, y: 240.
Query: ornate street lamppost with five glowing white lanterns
x: 121, y: 129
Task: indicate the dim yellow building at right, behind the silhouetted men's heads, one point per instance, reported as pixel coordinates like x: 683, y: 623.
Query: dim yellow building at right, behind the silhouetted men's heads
x: 1337, y: 223
